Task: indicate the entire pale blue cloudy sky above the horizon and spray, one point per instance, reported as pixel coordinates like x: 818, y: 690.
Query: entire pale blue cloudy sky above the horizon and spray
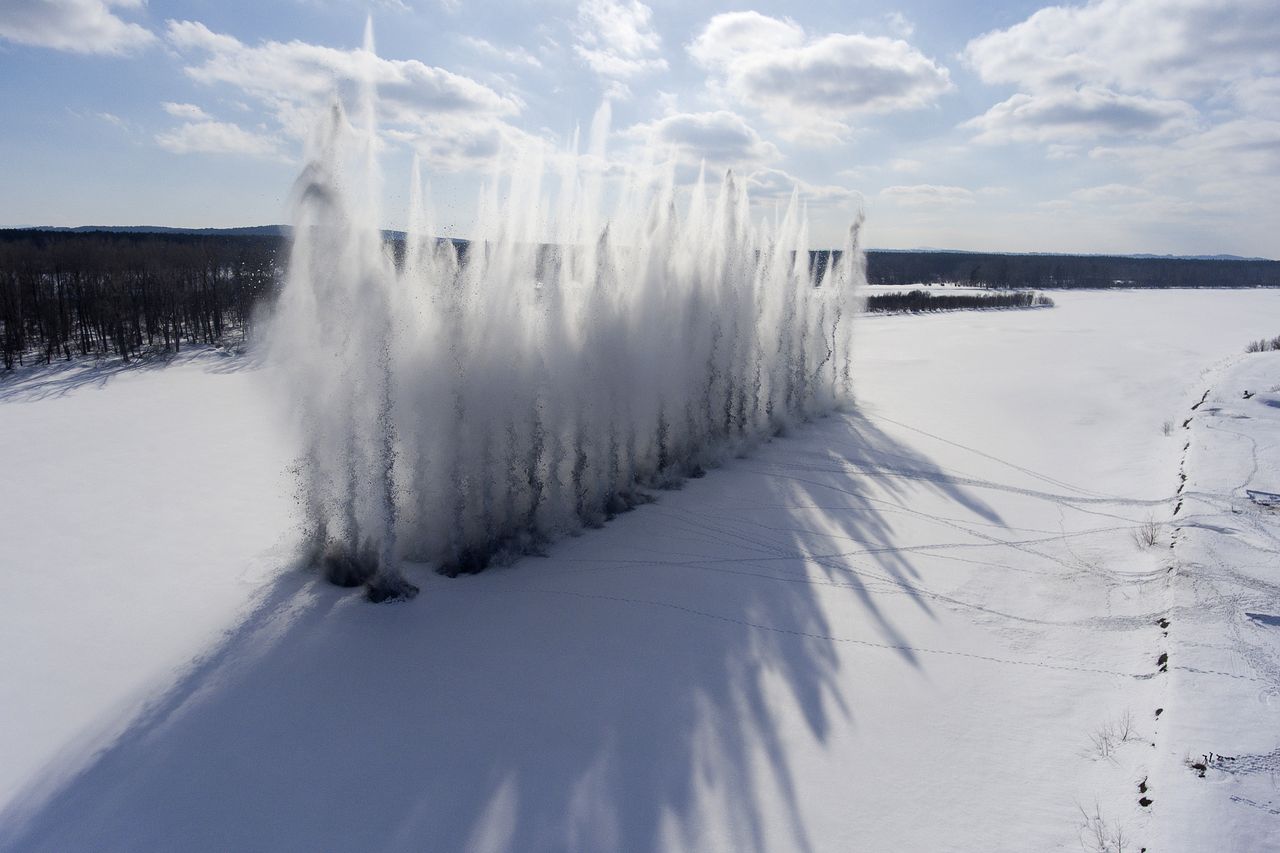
x: 1110, y: 126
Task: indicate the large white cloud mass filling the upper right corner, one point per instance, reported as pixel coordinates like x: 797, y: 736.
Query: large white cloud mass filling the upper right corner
x: 1132, y: 69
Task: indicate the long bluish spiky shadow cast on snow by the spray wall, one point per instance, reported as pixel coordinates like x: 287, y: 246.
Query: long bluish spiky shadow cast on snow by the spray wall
x: 593, y: 701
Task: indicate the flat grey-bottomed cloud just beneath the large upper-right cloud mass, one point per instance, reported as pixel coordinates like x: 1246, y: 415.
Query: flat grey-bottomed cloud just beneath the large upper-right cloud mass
x: 1084, y: 113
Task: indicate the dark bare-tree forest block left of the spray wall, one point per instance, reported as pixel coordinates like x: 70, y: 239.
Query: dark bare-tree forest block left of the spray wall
x: 97, y: 294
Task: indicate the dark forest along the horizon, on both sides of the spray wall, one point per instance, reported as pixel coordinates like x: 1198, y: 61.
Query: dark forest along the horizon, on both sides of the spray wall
x: 68, y: 294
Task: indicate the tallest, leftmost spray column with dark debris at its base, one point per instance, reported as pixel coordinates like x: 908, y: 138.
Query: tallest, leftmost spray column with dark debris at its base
x: 336, y: 337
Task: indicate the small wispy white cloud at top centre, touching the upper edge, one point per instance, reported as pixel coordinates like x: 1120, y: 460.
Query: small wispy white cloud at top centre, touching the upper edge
x: 616, y: 39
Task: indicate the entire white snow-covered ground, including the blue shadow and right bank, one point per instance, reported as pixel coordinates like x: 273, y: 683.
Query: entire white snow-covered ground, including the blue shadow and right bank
x: 922, y: 626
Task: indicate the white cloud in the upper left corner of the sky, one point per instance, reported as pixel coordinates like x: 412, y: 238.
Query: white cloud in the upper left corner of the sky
x: 77, y: 26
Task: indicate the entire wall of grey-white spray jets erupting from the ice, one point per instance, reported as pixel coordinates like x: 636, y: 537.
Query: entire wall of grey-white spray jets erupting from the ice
x: 458, y: 408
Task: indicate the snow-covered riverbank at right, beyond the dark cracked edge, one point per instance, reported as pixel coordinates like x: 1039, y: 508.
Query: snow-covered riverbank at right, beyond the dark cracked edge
x: 1224, y: 633
